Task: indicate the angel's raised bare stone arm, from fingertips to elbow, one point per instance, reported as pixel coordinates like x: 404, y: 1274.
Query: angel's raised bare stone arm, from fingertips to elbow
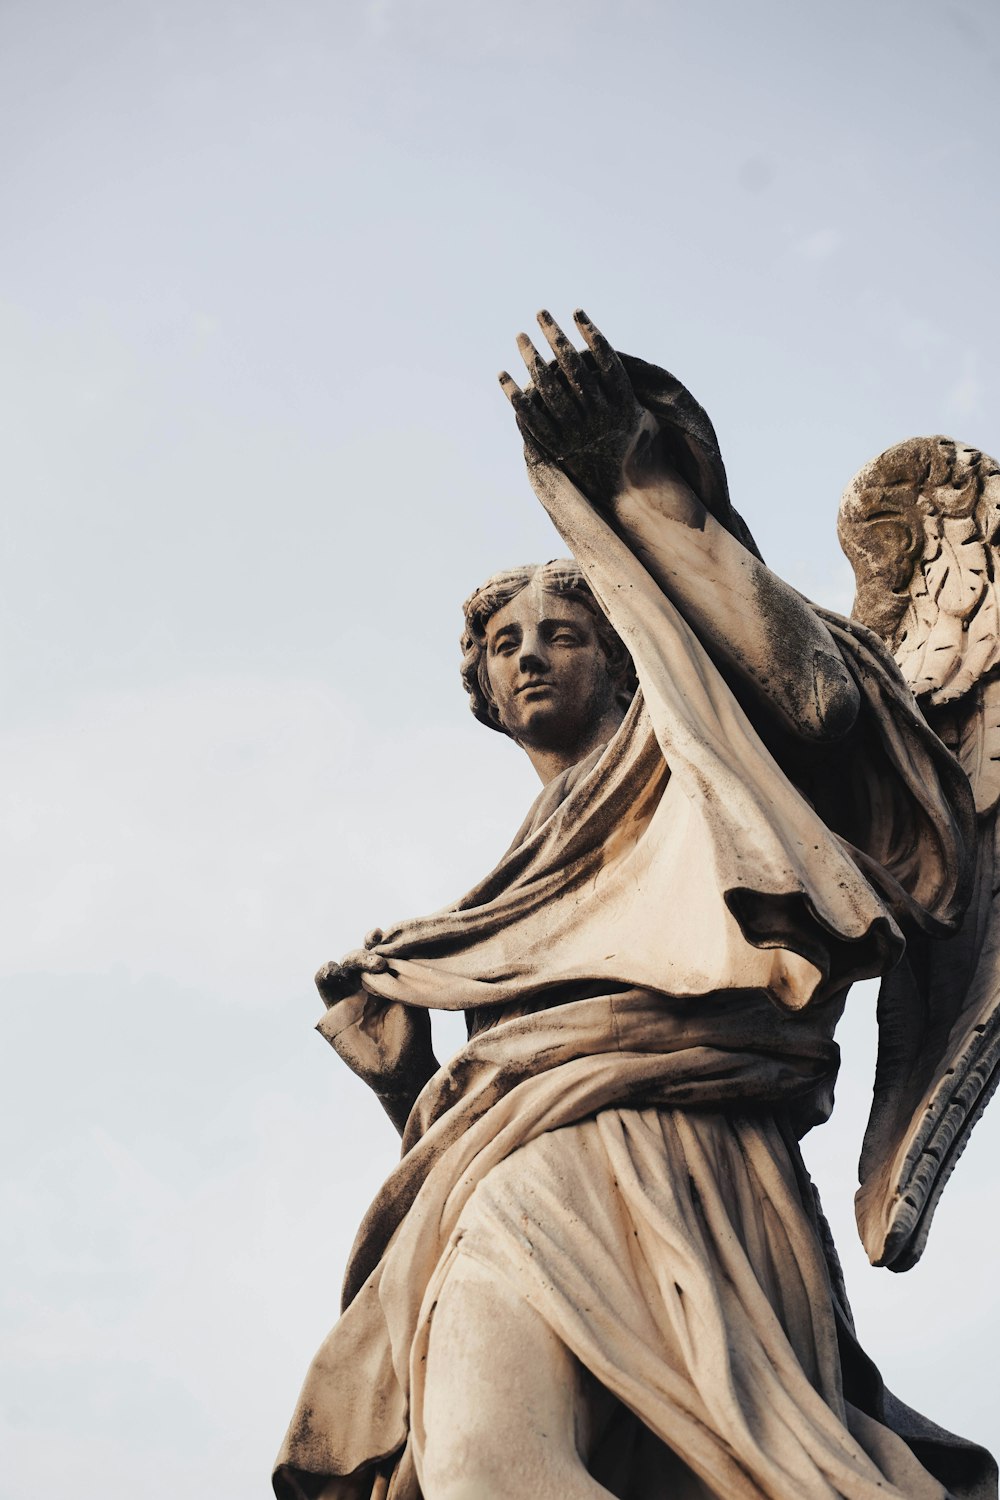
x: 582, y: 413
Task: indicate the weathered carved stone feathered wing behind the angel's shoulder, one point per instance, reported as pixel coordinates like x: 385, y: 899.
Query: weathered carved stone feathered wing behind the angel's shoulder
x: 921, y: 526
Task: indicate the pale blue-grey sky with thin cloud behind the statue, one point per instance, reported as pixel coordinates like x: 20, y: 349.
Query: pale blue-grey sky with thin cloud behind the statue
x: 260, y: 263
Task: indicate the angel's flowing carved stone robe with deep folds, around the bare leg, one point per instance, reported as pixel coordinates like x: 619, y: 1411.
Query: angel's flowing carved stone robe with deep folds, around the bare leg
x: 663, y: 956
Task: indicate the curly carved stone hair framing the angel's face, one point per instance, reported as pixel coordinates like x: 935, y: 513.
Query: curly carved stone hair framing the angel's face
x: 561, y: 577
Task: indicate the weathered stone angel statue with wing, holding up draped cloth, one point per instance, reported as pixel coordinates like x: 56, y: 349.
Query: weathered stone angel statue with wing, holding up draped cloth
x: 600, y: 1267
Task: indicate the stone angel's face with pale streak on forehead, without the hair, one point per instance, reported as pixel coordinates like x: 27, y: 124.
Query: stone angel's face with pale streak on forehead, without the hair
x: 546, y: 670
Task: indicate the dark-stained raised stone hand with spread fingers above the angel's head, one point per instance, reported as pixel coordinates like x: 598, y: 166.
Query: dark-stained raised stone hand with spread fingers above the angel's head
x: 578, y: 409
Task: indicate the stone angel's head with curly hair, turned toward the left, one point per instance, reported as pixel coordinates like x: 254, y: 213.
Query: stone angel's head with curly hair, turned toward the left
x: 540, y: 661
